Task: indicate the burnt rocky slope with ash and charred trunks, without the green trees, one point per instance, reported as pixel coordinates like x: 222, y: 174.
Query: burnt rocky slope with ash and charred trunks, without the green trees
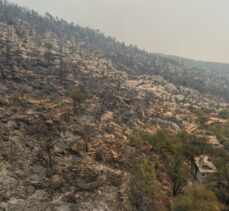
x: 67, y: 112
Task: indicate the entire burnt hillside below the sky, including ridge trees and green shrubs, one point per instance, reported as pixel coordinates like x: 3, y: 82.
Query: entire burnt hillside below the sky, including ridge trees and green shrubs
x: 88, y: 123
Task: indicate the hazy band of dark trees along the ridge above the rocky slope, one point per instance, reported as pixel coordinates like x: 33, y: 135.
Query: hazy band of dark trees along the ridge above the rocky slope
x: 129, y: 58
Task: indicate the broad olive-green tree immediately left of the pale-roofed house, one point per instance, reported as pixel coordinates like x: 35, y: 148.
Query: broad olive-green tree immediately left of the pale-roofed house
x: 174, y: 150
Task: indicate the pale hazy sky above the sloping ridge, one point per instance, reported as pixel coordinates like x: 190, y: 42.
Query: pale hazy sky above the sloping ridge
x: 196, y: 29
